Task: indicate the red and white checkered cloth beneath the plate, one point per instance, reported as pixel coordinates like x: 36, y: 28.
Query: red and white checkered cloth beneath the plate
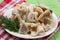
x: 6, y: 5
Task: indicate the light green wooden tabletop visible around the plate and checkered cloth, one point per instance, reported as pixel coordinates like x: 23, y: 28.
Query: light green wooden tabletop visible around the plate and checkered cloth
x: 52, y: 4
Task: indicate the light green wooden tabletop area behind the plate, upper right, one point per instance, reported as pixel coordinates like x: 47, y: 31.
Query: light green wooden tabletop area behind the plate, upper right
x: 52, y: 4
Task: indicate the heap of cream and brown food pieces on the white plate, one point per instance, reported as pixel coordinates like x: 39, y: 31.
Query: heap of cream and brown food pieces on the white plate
x: 32, y: 19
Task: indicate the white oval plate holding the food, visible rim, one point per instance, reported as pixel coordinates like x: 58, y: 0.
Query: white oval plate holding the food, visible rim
x: 54, y: 26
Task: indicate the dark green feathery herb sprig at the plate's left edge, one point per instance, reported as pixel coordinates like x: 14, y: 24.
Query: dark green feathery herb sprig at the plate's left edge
x: 7, y: 23
